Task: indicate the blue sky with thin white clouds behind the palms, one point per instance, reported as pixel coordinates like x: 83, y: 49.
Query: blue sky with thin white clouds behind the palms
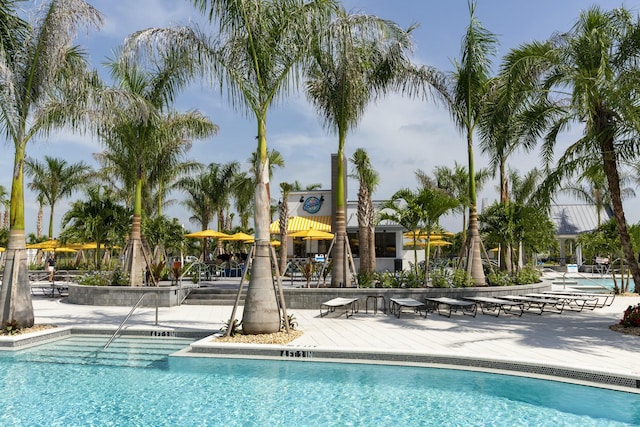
x: 401, y: 135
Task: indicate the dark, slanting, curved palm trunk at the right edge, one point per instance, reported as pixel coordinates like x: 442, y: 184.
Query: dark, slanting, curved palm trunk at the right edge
x: 613, y: 179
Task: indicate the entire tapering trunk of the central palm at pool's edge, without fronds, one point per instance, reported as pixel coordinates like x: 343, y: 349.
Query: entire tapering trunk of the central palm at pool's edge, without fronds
x: 261, y: 310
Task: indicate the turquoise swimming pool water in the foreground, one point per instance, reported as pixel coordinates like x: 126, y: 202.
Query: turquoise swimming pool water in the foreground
x: 189, y: 391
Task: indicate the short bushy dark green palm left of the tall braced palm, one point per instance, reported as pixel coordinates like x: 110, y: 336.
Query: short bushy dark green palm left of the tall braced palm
x: 97, y: 219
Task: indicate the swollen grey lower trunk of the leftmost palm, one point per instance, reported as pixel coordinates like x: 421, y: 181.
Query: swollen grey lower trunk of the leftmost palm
x: 16, y: 307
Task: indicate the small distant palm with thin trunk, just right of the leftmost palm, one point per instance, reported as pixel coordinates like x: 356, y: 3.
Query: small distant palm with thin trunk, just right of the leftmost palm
x: 55, y: 179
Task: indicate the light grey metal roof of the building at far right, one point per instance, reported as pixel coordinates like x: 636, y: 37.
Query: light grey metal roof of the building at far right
x: 571, y: 220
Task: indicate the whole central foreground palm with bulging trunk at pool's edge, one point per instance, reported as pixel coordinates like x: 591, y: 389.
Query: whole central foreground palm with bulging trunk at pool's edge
x: 260, y: 46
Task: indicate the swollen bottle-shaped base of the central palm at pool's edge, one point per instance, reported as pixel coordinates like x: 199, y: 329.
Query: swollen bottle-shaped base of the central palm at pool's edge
x: 261, y: 311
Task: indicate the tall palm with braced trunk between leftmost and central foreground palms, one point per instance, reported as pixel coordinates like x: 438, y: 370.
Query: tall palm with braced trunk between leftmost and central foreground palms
x: 136, y: 146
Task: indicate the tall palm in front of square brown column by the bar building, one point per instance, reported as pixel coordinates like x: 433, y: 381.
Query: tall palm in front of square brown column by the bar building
x: 358, y: 59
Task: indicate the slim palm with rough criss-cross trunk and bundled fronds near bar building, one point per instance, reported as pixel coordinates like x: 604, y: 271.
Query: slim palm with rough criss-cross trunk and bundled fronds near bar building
x: 369, y: 179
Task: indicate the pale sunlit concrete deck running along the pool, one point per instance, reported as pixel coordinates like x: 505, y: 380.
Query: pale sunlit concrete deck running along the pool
x: 572, y: 340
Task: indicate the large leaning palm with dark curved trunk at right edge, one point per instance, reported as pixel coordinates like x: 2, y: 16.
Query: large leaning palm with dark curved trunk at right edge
x: 596, y: 62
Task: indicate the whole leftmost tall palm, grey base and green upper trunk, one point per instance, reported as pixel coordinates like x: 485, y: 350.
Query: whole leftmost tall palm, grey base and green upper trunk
x: 44, y: 80
